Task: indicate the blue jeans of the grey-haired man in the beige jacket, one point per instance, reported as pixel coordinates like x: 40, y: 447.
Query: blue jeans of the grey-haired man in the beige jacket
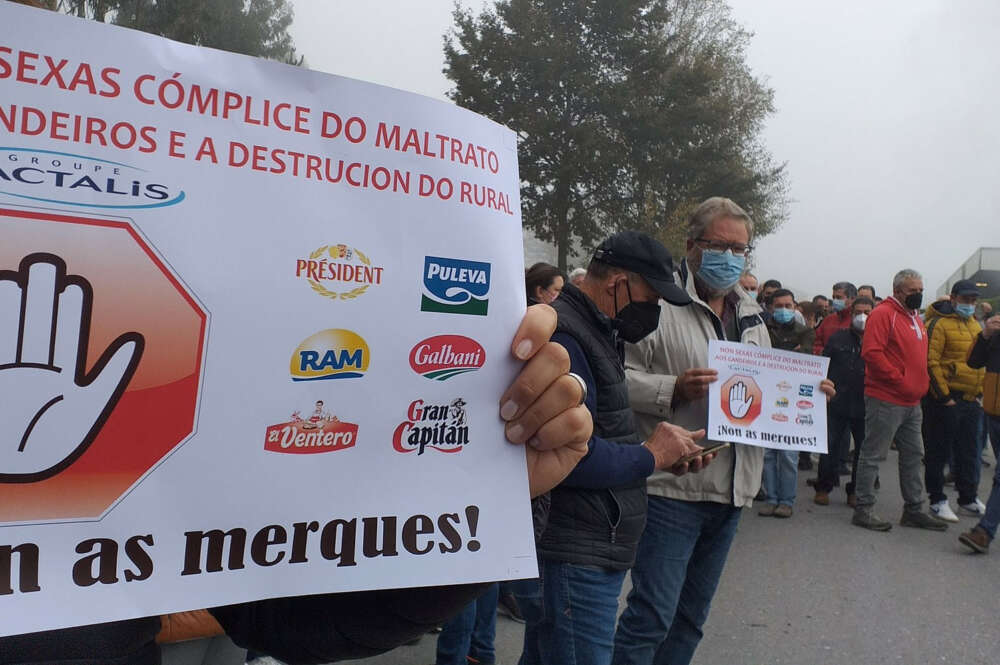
x: 680, y: 559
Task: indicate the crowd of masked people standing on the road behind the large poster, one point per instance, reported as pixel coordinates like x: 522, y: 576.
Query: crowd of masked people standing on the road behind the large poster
x: 922, y: 381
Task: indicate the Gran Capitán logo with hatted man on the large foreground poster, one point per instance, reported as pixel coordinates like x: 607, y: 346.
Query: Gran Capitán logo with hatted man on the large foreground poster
x: 440, y: 427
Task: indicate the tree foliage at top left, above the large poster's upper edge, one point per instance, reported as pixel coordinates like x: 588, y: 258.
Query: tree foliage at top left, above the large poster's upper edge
x: 252, y: 27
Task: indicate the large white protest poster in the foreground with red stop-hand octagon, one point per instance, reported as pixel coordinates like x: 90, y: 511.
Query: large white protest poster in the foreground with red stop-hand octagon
x: 254, y: 326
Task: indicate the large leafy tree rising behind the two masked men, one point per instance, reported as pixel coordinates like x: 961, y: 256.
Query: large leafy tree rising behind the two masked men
x: 629, y: 112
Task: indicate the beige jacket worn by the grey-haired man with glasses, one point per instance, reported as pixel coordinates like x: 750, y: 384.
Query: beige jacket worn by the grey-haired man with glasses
x: 653, y: 365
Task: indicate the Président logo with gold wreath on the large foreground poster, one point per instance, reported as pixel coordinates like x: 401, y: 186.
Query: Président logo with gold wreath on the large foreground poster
x: 339, y: 272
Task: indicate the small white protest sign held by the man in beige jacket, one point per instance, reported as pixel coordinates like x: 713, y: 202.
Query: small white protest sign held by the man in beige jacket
x: 767, y: 397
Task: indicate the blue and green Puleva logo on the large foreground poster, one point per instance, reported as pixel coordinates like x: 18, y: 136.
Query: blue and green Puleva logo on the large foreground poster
x: 455, y: 286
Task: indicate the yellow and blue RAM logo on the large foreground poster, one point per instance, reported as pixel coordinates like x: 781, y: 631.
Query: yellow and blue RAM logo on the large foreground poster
x: 330, y: 354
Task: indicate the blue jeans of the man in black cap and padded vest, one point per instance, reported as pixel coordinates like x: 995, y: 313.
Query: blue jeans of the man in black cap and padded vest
x: 569, y: 614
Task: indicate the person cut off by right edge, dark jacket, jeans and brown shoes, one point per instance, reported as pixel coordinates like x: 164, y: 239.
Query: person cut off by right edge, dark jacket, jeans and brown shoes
x: 985, y: 353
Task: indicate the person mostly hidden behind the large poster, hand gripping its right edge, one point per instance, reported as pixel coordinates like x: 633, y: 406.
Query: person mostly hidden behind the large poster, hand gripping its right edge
x: 327, y: 627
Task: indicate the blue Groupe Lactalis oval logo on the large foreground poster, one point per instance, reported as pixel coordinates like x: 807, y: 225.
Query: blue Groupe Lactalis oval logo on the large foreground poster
x: 62, y: 177
